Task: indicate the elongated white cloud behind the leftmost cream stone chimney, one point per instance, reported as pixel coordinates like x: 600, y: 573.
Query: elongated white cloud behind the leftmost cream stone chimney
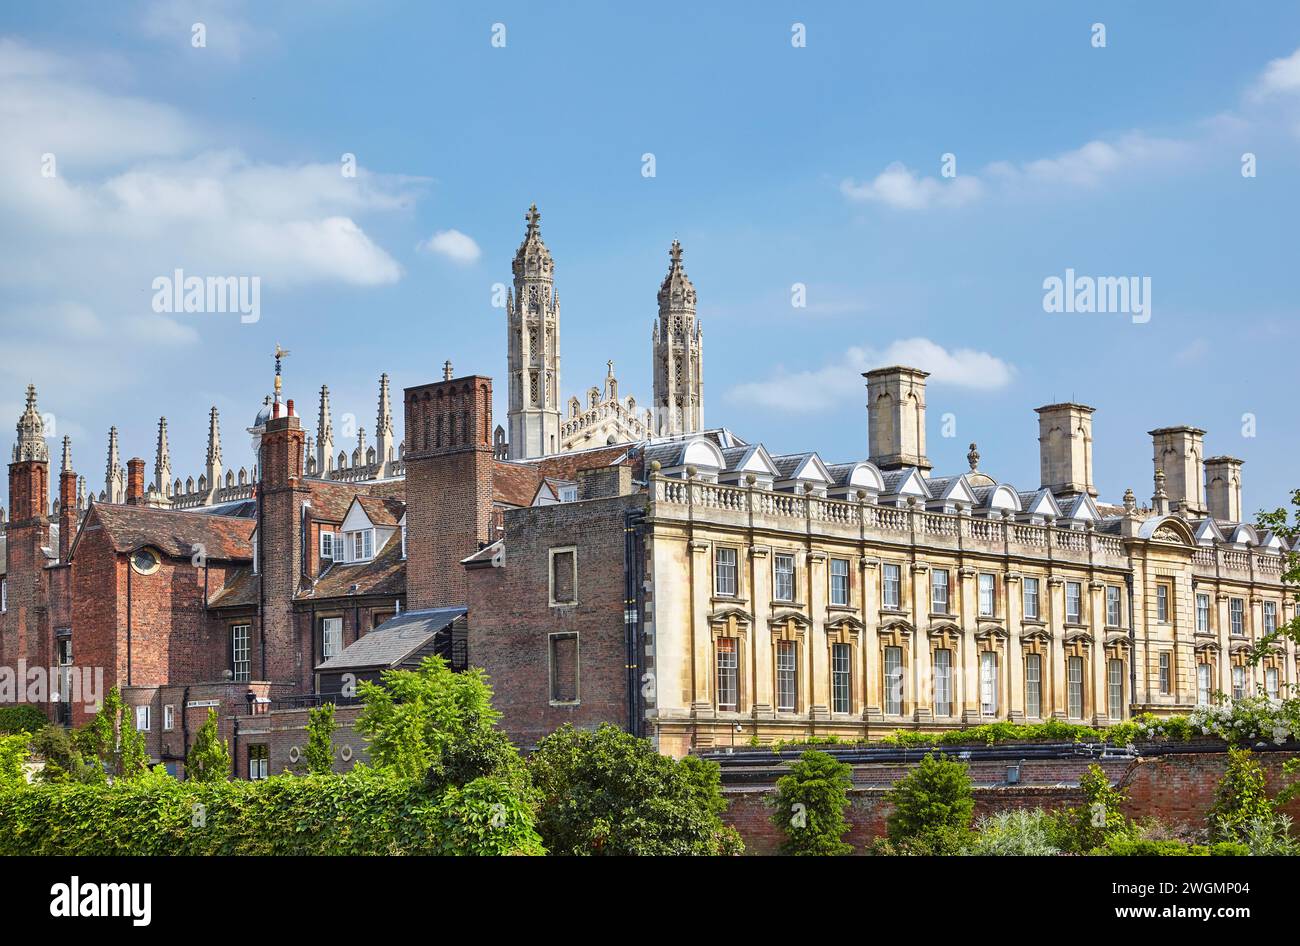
x: 842, y: 381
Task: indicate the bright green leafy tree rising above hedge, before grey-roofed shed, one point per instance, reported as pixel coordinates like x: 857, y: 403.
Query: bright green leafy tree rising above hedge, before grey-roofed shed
x: 413, y: 718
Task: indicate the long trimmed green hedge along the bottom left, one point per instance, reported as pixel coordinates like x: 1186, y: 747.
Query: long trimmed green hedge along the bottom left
x: 365, y: 812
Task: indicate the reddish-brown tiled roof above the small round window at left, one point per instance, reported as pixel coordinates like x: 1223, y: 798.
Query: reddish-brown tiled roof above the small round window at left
x: 226, y: 539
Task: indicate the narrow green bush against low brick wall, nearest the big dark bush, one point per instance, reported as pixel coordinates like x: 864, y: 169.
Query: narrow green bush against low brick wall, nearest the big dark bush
x: 811, y: 804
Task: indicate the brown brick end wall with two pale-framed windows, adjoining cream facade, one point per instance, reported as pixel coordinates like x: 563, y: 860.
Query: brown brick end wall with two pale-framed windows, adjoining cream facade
x: 512, y: 619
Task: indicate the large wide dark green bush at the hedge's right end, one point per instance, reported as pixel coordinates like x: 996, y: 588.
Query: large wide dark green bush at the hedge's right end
x: 608, y: 792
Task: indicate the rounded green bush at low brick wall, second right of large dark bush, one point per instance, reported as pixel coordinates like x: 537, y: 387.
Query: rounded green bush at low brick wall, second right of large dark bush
x: 933, y: 808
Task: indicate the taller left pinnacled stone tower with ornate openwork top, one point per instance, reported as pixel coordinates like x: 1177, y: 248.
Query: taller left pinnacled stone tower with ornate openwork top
x: 534, y: 337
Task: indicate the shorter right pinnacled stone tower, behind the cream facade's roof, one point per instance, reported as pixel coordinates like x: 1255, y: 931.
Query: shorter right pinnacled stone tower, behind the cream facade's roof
x: 679, y: 359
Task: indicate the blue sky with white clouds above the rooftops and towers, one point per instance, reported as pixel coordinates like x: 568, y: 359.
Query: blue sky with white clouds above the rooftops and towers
x: 775, y: 166
